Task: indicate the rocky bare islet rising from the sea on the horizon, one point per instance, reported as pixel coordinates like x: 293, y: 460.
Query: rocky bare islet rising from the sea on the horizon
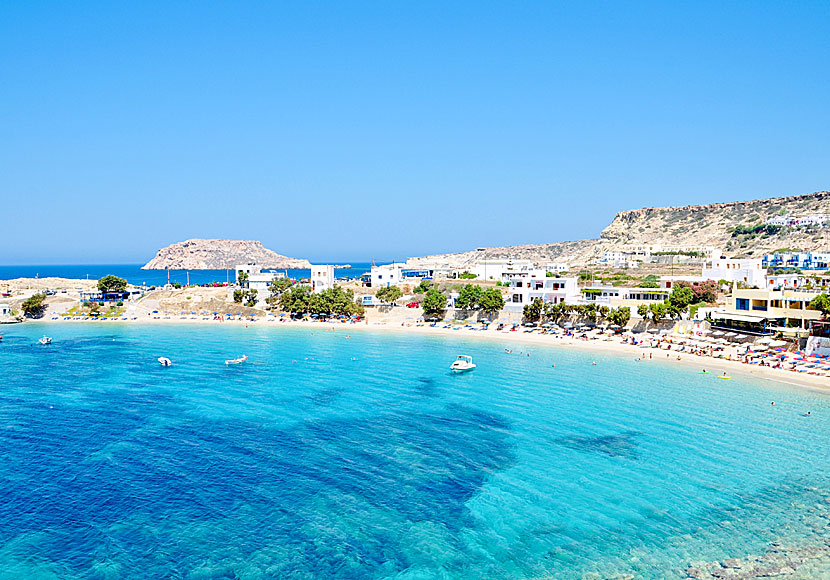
x: 218, y: 255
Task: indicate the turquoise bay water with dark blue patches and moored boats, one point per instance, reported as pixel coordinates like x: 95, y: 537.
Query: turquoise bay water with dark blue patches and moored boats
x: 364, y: 458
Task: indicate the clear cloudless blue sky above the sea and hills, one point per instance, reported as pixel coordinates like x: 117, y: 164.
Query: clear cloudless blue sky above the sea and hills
x: 352, y: 131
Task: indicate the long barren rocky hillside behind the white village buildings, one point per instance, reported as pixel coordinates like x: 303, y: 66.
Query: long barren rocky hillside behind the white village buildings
x: 735, y: 227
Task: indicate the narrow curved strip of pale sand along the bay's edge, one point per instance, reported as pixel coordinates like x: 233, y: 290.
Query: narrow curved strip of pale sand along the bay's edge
x: 615, y: 346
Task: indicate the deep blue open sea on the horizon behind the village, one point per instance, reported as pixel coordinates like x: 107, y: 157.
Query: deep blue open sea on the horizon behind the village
x: 135, y: 275
